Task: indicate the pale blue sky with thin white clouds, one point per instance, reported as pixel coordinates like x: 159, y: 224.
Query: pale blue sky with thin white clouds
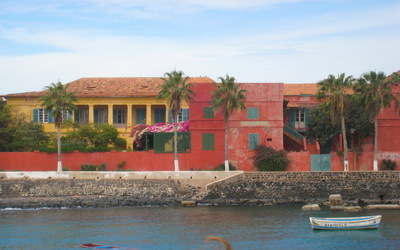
x: 289, y: 41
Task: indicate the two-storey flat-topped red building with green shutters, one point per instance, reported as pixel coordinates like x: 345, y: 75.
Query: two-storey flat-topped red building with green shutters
x: 260, y: 122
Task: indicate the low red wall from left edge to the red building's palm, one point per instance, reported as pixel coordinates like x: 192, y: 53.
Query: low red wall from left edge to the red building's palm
x: 136, y: 161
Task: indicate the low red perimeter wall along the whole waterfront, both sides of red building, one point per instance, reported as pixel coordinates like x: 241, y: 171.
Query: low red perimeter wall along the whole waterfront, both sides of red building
x: 149, y: 161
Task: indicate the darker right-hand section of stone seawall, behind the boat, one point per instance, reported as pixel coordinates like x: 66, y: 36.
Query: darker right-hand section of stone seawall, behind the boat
x: 306, y: 187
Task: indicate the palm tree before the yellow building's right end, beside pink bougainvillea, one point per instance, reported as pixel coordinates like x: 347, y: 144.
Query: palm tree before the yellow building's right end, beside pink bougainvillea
x: 175, y: 89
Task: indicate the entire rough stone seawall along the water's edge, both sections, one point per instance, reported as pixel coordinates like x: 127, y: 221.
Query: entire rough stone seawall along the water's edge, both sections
x: 250, y: 188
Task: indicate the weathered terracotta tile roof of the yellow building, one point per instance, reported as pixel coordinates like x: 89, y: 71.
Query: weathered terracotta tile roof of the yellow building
x: 114, y: 87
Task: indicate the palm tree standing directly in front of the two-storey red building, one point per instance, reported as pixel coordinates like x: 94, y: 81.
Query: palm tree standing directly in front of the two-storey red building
x: 227, y: 97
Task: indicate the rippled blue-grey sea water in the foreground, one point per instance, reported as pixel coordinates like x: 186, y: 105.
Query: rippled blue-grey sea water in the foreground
x: 276, y: 227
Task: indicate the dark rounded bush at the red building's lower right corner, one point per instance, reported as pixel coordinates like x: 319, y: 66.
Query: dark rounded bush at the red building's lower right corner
x: 269, y: 159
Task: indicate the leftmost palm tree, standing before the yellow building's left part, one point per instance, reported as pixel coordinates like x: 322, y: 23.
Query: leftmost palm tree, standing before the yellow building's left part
x: 58, y: 101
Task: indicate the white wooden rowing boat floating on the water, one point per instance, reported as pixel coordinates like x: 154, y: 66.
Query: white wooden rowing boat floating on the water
x: 365, y: 222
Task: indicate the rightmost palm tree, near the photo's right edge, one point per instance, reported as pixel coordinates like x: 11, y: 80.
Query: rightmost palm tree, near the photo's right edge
x: 375, y: 92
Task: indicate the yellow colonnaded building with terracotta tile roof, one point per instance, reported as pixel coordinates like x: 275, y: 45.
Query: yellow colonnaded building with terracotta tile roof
x: 121, y: 102
